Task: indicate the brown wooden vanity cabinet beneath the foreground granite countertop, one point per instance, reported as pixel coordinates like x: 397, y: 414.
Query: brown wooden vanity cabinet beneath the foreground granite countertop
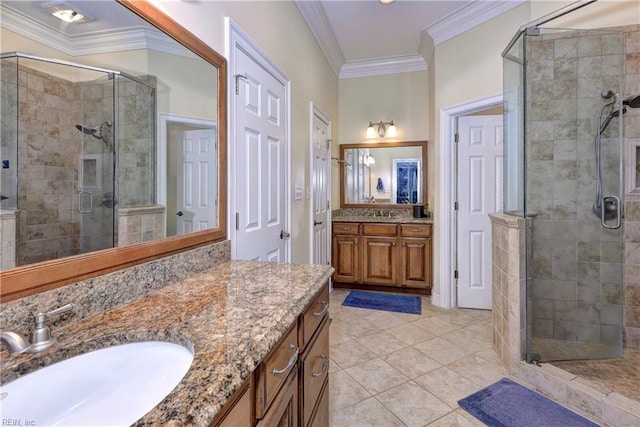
x: 295, y: 394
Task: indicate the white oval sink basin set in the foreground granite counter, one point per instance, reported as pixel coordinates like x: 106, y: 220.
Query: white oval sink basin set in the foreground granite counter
x: 112, y: 386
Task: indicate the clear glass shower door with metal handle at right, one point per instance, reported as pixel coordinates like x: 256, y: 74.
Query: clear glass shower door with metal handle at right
x: 573, y: 187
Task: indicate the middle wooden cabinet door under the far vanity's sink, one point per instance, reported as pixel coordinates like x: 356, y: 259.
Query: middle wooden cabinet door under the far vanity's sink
x: 380, y: 260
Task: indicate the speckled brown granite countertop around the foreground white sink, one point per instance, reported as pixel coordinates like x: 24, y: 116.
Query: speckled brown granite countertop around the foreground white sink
x: 231, y: 316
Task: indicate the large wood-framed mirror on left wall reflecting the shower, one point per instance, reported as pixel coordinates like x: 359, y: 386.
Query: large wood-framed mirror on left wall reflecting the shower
x: 113, y: 142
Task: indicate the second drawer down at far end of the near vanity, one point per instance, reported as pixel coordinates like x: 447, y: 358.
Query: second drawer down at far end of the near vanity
x: 315, y: 370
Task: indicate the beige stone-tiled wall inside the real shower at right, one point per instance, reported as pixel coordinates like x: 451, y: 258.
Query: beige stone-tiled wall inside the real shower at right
x: 576, y: 290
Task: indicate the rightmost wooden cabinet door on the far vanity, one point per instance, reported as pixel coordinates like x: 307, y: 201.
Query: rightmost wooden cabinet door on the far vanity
x: 415, y: 264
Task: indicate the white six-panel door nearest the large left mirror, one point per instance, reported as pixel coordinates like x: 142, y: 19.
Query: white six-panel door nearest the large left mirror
x: 260, y: 163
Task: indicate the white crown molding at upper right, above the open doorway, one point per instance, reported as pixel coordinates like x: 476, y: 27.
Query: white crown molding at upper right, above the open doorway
x: 467, y: 17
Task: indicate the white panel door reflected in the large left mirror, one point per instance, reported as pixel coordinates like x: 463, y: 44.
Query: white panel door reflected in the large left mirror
x: 197, y: 181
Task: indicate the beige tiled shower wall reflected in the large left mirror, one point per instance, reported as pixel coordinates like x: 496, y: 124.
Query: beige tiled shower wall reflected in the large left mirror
x: 45, y: 109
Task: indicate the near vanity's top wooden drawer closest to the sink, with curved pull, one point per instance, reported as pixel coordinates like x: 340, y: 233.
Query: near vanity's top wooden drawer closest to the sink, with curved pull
x: 274, y: 370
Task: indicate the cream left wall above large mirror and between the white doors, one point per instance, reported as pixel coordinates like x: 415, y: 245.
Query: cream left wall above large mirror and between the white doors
x: 280, y: 30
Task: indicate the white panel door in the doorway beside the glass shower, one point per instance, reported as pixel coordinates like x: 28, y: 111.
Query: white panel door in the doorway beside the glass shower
x: 479, y: 193
